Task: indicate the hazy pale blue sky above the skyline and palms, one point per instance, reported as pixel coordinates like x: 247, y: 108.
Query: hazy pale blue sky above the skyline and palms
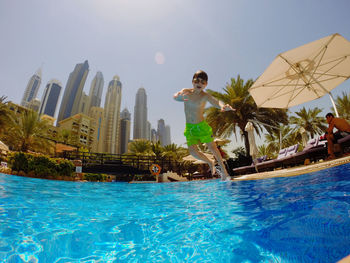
x: 123, y: 37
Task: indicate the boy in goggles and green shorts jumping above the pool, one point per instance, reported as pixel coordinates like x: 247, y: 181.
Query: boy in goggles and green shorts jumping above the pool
x: 197, y: 129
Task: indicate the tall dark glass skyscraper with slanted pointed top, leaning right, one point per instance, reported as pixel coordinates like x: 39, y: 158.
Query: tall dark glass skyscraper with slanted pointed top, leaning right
x: 73, y: 92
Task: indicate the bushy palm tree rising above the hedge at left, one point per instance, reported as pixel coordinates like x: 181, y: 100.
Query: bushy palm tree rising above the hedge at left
x: 28, y: 132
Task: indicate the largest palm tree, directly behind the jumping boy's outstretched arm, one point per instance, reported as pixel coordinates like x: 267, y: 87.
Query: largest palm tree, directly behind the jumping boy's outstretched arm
x: 237, y: 95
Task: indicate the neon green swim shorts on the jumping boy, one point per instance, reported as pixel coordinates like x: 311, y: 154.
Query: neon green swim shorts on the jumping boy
x: 198, y: 132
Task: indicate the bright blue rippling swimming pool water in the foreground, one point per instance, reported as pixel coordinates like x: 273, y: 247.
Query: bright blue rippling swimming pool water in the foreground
x: 295, y: 219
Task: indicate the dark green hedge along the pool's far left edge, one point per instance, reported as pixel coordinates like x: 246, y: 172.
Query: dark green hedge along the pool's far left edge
x: 40, y: 165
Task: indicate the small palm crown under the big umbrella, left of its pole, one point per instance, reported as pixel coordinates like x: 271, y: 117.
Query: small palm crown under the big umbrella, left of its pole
x: 308, y: 120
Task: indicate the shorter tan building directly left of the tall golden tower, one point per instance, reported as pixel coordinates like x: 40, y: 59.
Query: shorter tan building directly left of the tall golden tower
x: 98, y: 124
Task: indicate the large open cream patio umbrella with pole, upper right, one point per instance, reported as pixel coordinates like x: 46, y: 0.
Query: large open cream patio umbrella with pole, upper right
x: 303, y: 74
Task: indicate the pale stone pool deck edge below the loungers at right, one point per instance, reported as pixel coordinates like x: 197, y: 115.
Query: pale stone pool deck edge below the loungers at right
x: 294, y: 171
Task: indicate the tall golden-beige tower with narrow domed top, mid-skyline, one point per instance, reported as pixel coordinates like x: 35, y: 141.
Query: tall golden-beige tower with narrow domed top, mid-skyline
x: 112, y: 116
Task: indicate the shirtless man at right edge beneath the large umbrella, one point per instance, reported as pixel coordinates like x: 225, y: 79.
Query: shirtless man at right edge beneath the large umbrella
x: 343, y: 130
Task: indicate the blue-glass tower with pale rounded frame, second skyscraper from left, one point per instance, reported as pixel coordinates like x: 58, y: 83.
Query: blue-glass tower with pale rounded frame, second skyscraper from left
x: 50, y: 98
